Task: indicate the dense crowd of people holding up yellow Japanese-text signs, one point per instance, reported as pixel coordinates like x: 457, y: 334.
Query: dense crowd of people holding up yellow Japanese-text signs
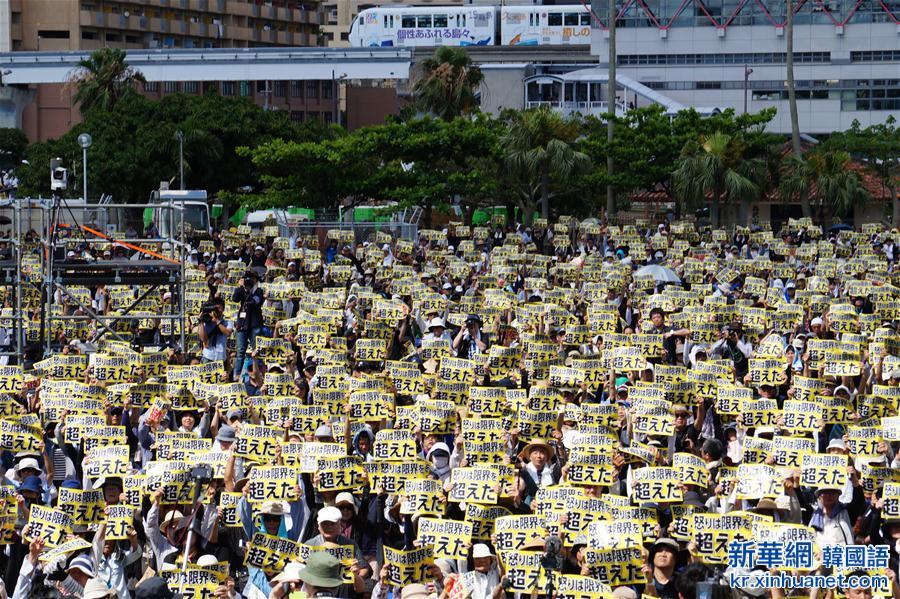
x: 572, y: 409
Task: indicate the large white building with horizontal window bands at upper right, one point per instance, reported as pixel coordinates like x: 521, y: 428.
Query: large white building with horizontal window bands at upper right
x: 696, y: 52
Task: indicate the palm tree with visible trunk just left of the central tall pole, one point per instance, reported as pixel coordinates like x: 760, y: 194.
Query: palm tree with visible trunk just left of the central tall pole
x: 538, y: 147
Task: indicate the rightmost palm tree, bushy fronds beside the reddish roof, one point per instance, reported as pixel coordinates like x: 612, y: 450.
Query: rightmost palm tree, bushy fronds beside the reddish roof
x: 824, y: 175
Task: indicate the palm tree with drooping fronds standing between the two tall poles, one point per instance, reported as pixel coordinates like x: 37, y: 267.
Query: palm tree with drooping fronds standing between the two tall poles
x: 716, y: 166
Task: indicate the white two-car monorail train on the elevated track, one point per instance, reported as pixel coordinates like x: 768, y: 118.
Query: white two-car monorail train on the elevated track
x: 472, y: 26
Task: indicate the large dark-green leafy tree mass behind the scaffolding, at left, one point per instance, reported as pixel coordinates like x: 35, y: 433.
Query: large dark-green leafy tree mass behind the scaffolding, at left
x: 135, y: 147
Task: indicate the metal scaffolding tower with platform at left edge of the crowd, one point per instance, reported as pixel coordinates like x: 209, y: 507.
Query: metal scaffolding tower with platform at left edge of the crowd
x: 34, y: 276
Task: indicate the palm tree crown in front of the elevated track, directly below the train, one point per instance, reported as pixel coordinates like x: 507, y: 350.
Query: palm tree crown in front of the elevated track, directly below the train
x: 446, y: 87
